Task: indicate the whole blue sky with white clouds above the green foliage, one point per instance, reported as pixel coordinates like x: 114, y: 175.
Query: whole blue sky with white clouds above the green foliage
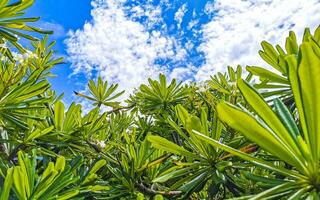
x: 127, y: 41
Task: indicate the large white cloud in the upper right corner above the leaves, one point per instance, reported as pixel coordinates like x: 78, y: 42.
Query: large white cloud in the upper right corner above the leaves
x: 235, y: 32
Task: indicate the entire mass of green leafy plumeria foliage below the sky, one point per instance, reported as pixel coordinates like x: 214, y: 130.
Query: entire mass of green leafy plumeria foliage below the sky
x: 229, y: 137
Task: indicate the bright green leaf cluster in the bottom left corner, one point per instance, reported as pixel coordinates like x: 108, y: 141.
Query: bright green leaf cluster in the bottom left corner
x: 57, y: 181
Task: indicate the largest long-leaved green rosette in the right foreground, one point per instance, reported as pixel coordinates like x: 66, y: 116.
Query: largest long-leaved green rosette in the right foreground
x: 277, y: 131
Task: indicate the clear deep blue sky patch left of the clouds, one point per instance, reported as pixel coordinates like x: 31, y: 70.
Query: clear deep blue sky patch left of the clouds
x: 62, y: 16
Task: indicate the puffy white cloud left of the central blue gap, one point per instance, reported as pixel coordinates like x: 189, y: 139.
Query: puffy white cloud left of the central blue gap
x: 119, y: 48
